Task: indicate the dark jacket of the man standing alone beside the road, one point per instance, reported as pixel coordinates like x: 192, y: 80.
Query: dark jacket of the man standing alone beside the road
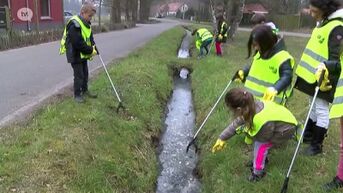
x: 75, y: 43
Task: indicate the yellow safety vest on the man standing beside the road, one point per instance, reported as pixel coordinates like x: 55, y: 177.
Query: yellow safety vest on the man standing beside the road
x: 85, y: 32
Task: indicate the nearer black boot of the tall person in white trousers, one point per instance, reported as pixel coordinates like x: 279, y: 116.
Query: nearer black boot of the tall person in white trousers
x: 316, y: 146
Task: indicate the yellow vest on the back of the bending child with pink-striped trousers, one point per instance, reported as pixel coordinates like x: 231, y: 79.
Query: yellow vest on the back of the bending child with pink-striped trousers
x: 271, y: 112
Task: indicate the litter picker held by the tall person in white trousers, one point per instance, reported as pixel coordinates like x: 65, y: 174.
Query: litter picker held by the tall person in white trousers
x: 285, y: 183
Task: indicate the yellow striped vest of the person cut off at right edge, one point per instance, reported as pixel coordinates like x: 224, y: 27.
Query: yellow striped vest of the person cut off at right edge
x: 336, y: 110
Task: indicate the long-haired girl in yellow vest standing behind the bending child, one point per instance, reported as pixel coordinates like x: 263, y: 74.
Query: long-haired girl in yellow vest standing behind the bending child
x: 269, y: 76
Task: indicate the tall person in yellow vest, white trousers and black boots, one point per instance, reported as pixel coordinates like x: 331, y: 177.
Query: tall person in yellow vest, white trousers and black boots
x: 323, y: 49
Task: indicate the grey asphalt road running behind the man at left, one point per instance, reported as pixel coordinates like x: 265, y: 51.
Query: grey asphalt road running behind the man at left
x: 32, y: 74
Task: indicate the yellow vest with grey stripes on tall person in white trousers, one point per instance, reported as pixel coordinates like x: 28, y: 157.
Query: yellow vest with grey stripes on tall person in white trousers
x: 316, y: 51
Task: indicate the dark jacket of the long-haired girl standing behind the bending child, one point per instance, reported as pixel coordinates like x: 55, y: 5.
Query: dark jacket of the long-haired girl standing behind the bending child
x: 285, y: 70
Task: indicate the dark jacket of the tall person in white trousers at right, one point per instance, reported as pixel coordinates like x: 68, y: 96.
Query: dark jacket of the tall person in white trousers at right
x: 333, y: 65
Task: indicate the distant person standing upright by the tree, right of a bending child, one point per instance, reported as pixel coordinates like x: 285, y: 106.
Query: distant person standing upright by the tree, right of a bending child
x: 221, y: 34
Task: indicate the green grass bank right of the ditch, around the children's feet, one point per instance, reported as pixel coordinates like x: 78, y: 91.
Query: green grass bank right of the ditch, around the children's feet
x: 225, y: 172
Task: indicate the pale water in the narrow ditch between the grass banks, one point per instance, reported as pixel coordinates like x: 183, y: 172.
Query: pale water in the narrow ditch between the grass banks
x: 177, y: 166
